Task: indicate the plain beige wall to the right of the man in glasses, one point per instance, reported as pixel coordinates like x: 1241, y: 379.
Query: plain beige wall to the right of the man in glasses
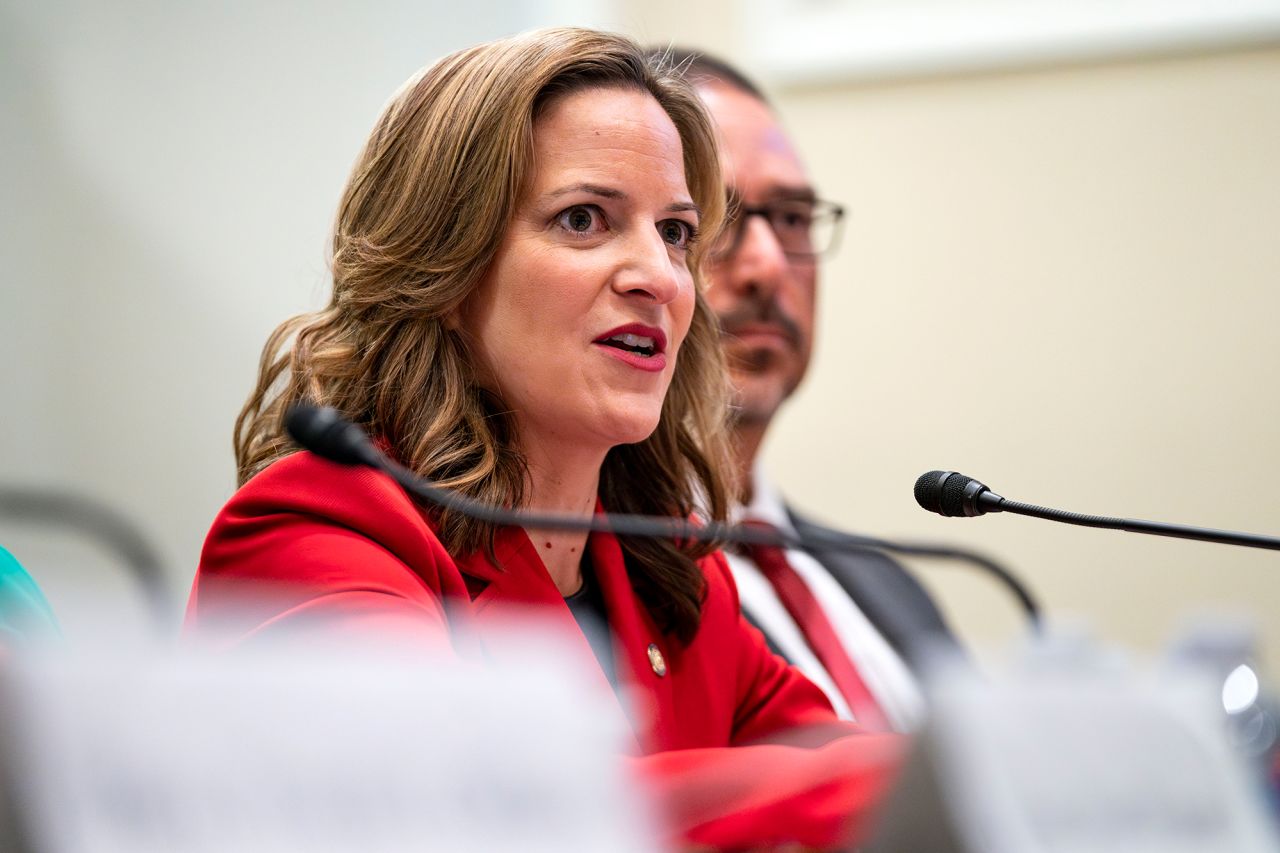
x: 1062, y: 281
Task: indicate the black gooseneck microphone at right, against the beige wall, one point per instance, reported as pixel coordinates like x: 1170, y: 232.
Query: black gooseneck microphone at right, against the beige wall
x: 956, y: 495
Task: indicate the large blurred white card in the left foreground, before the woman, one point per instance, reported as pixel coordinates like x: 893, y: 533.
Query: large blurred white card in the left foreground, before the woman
x: 287, y: 752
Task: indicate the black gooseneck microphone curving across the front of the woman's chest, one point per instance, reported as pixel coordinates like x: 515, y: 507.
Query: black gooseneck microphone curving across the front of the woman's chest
x: 327, y: 434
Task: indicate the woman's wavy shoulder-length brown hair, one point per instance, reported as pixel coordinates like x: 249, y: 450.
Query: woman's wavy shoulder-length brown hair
x: 420, y: 221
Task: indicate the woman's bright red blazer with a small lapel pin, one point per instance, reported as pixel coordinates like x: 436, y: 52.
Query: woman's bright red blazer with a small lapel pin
x: 313, y: 545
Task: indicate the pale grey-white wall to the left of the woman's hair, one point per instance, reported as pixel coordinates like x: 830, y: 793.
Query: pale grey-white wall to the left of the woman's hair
x: 170, y: 179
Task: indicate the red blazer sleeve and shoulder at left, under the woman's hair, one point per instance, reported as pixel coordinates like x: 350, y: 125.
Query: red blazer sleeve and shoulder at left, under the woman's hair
x: 310, y: 546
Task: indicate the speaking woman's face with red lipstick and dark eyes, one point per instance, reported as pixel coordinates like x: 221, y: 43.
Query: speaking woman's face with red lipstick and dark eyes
x: 580, y: 317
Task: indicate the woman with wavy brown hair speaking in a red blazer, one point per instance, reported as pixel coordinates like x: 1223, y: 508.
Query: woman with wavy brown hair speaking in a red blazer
x: 518, y: 316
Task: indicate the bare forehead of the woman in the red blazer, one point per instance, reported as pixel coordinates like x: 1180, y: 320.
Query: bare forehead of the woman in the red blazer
x: 609, y: 135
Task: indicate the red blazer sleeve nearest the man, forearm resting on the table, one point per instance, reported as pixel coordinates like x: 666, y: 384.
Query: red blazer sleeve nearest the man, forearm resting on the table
x: 765, y: 790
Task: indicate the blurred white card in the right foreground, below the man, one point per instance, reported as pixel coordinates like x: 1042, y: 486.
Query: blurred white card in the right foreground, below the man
x: 1076, y: 751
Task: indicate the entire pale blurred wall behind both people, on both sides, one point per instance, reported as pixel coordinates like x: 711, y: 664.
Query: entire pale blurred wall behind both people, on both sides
x: 1059, y: 276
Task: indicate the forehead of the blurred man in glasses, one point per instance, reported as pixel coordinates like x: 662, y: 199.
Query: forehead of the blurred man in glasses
x: 757, y: 154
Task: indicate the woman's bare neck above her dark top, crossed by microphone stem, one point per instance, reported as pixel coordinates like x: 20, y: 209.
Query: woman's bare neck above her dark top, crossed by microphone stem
x: 568, y: 483
